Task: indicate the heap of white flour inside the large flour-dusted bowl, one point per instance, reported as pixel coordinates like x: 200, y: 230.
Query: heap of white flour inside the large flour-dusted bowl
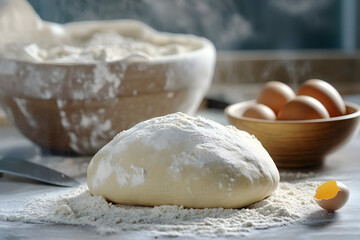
x: 106, y: 46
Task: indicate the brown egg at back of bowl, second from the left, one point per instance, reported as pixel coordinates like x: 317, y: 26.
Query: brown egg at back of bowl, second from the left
x: 275, y: 95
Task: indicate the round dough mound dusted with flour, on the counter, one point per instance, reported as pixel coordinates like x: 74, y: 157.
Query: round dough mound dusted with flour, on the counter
x: 182, y: 160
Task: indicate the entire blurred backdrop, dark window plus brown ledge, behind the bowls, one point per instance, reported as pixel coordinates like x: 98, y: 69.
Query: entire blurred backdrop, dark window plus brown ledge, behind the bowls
x: 257, y: 41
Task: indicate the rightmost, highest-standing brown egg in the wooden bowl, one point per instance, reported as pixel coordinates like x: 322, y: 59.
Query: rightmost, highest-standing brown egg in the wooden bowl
x: 326, y: 94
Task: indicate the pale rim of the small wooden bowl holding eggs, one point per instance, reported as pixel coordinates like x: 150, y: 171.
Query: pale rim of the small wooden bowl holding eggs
x: 229, y: 110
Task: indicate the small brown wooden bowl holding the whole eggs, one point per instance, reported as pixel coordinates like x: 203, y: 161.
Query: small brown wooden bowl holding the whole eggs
x: 303, y: 143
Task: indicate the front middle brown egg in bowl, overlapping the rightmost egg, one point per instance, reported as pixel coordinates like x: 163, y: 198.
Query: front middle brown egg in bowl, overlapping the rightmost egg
x: 303, y: 108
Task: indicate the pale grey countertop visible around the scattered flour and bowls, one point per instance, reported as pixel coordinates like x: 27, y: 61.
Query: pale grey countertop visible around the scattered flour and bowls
x: 342, y: 165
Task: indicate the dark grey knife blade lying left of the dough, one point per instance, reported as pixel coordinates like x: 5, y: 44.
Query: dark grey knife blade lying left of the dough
x: 36, y: 172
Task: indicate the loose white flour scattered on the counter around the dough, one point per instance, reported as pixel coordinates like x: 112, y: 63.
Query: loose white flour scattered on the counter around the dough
x: 290, y: 203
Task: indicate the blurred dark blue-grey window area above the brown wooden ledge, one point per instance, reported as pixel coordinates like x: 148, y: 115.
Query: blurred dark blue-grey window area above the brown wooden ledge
x: 229, y: 24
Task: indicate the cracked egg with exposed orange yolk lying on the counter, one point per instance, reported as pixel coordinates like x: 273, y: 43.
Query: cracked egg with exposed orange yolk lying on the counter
x: 332, y: 195
